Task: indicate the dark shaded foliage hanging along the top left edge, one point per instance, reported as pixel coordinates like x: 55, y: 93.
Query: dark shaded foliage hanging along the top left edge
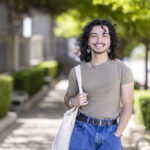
x: 49, y: 6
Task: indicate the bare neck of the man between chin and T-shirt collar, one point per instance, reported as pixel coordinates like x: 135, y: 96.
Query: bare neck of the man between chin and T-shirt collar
x: 99, y: 58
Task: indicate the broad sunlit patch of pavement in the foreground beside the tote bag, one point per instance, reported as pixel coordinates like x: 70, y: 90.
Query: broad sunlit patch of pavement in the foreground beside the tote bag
x: 33, y: 134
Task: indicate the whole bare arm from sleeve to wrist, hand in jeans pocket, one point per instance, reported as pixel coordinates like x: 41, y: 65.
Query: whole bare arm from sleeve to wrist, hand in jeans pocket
x: 127, y: 97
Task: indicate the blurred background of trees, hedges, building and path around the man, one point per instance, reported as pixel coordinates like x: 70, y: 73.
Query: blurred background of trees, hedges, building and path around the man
x: 37, y: 50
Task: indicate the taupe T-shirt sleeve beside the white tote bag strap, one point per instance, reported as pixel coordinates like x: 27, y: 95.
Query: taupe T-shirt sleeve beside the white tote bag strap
x: 72, y: 83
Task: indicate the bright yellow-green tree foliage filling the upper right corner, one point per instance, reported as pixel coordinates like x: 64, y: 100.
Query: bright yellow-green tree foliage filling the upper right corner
x: 135, y: 14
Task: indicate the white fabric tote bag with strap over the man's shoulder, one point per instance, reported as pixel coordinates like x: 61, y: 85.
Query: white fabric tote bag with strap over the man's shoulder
x: 62, y: 139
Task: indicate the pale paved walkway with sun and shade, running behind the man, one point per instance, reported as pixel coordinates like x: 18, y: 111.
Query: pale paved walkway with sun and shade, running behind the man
x: 35, y: 129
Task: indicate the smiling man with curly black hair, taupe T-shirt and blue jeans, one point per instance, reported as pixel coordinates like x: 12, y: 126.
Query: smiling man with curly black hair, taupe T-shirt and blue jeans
x: 106, y: 81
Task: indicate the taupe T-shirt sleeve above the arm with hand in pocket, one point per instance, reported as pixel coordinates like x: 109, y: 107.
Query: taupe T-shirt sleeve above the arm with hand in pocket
x: 126, y: 74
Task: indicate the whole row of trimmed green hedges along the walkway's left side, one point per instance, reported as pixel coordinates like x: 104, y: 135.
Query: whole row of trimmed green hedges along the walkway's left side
x: 29, y: 80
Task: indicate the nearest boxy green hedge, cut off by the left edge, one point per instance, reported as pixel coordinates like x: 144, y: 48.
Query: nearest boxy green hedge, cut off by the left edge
x: 6, y: 87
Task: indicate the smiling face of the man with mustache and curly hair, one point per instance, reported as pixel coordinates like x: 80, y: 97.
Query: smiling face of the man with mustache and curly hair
x: 99, y: 39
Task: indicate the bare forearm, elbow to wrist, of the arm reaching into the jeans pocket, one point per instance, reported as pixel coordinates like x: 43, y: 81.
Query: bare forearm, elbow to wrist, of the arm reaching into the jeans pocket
x: 124, y: 118
